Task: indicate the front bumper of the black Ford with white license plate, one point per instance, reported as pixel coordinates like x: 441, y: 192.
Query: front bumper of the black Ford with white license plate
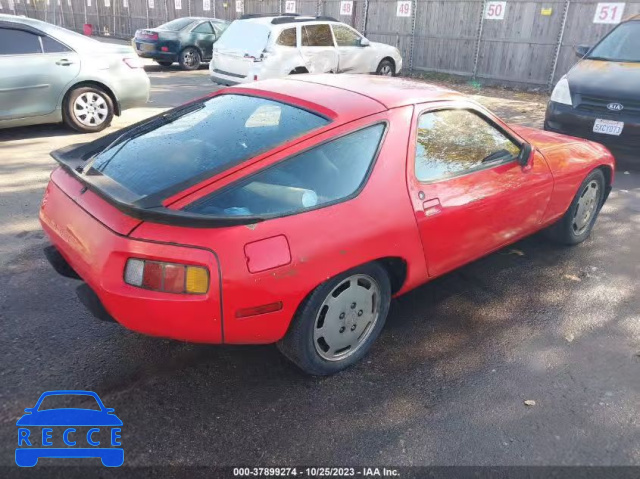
x: 565, y: 119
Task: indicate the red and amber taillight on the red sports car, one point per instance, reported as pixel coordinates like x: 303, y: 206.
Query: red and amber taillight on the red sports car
x: 166, y: 277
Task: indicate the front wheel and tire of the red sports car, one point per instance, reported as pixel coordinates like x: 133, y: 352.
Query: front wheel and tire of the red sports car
x: 576, y: 224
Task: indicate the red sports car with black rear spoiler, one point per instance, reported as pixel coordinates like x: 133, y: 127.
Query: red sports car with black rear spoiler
x: 291, y: 211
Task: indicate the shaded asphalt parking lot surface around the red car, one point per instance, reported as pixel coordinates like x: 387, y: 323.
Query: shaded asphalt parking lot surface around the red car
x: 446, y: 383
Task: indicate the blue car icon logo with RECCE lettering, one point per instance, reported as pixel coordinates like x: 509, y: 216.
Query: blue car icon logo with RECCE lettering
x: 69, y: 432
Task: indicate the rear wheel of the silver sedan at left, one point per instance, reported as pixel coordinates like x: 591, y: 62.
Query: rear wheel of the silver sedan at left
x: 87, y: 109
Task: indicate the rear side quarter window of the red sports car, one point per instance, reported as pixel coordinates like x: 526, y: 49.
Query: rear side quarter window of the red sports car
x: 323, y: 175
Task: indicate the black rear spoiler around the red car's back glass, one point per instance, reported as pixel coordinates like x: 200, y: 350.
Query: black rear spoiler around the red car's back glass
x: 73, y: 159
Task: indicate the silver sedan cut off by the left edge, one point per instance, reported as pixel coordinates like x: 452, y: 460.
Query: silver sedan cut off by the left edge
x: 50, y: 75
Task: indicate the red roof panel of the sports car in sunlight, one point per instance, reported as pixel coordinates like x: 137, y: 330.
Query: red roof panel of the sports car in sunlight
x: 358, y: 91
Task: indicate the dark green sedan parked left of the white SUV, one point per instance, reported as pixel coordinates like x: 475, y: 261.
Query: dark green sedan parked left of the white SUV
x: 188, y: 41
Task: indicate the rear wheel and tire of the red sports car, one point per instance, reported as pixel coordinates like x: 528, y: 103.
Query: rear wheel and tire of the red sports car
x: 323, y: 339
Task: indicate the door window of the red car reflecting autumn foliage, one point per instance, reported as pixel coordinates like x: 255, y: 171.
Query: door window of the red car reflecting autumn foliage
x: 454, y: 142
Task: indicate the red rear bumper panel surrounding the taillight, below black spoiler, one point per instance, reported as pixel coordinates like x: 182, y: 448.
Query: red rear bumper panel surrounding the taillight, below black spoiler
x: 92, y: 236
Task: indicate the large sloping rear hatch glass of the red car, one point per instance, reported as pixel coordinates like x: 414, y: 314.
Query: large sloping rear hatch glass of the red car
x: 226, y: 130
